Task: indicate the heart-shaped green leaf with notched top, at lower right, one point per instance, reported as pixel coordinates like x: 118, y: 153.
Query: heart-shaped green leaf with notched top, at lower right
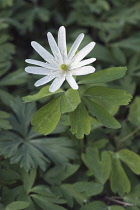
x: 98, y: 165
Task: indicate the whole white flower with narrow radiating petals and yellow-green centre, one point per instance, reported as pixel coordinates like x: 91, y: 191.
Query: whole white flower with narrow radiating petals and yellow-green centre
x: 61, y: 65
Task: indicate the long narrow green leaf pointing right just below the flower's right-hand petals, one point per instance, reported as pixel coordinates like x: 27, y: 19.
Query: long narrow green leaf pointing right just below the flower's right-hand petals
x: 105, y: 75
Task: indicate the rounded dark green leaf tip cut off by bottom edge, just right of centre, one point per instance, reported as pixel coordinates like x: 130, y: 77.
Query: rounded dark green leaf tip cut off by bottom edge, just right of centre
x: 97, y: 205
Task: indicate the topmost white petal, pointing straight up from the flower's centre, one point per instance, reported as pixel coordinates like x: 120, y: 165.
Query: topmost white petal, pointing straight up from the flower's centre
x: 62, y: 42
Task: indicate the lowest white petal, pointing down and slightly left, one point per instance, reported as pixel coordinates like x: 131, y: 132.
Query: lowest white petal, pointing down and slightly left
x: 56, y: 84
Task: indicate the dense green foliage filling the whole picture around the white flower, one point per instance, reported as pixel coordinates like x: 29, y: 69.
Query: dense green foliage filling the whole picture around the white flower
x: 90, y: 156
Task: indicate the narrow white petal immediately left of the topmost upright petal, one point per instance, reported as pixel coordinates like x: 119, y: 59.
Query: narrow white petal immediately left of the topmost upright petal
x: 54, y: 48
